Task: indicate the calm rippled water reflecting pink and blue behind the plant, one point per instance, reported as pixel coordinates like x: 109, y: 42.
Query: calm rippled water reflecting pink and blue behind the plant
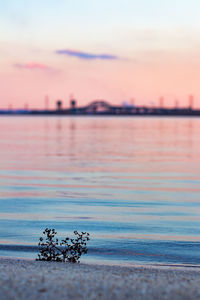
x: 132, y: 183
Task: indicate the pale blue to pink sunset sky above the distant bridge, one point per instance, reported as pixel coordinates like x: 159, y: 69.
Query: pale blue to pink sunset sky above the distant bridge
x: 132, y: 51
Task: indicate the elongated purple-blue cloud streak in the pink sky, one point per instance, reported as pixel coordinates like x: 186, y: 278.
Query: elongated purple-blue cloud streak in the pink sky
x: 86, y: 55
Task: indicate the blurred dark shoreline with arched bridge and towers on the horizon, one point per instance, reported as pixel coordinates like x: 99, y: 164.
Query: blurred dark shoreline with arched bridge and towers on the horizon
x: 102, y: 107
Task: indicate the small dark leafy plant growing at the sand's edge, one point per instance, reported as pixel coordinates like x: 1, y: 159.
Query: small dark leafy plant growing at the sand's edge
x: 69, y: 249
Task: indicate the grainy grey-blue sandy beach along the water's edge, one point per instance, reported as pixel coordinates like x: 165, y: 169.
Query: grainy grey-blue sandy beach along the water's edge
x: 23, y: 279
